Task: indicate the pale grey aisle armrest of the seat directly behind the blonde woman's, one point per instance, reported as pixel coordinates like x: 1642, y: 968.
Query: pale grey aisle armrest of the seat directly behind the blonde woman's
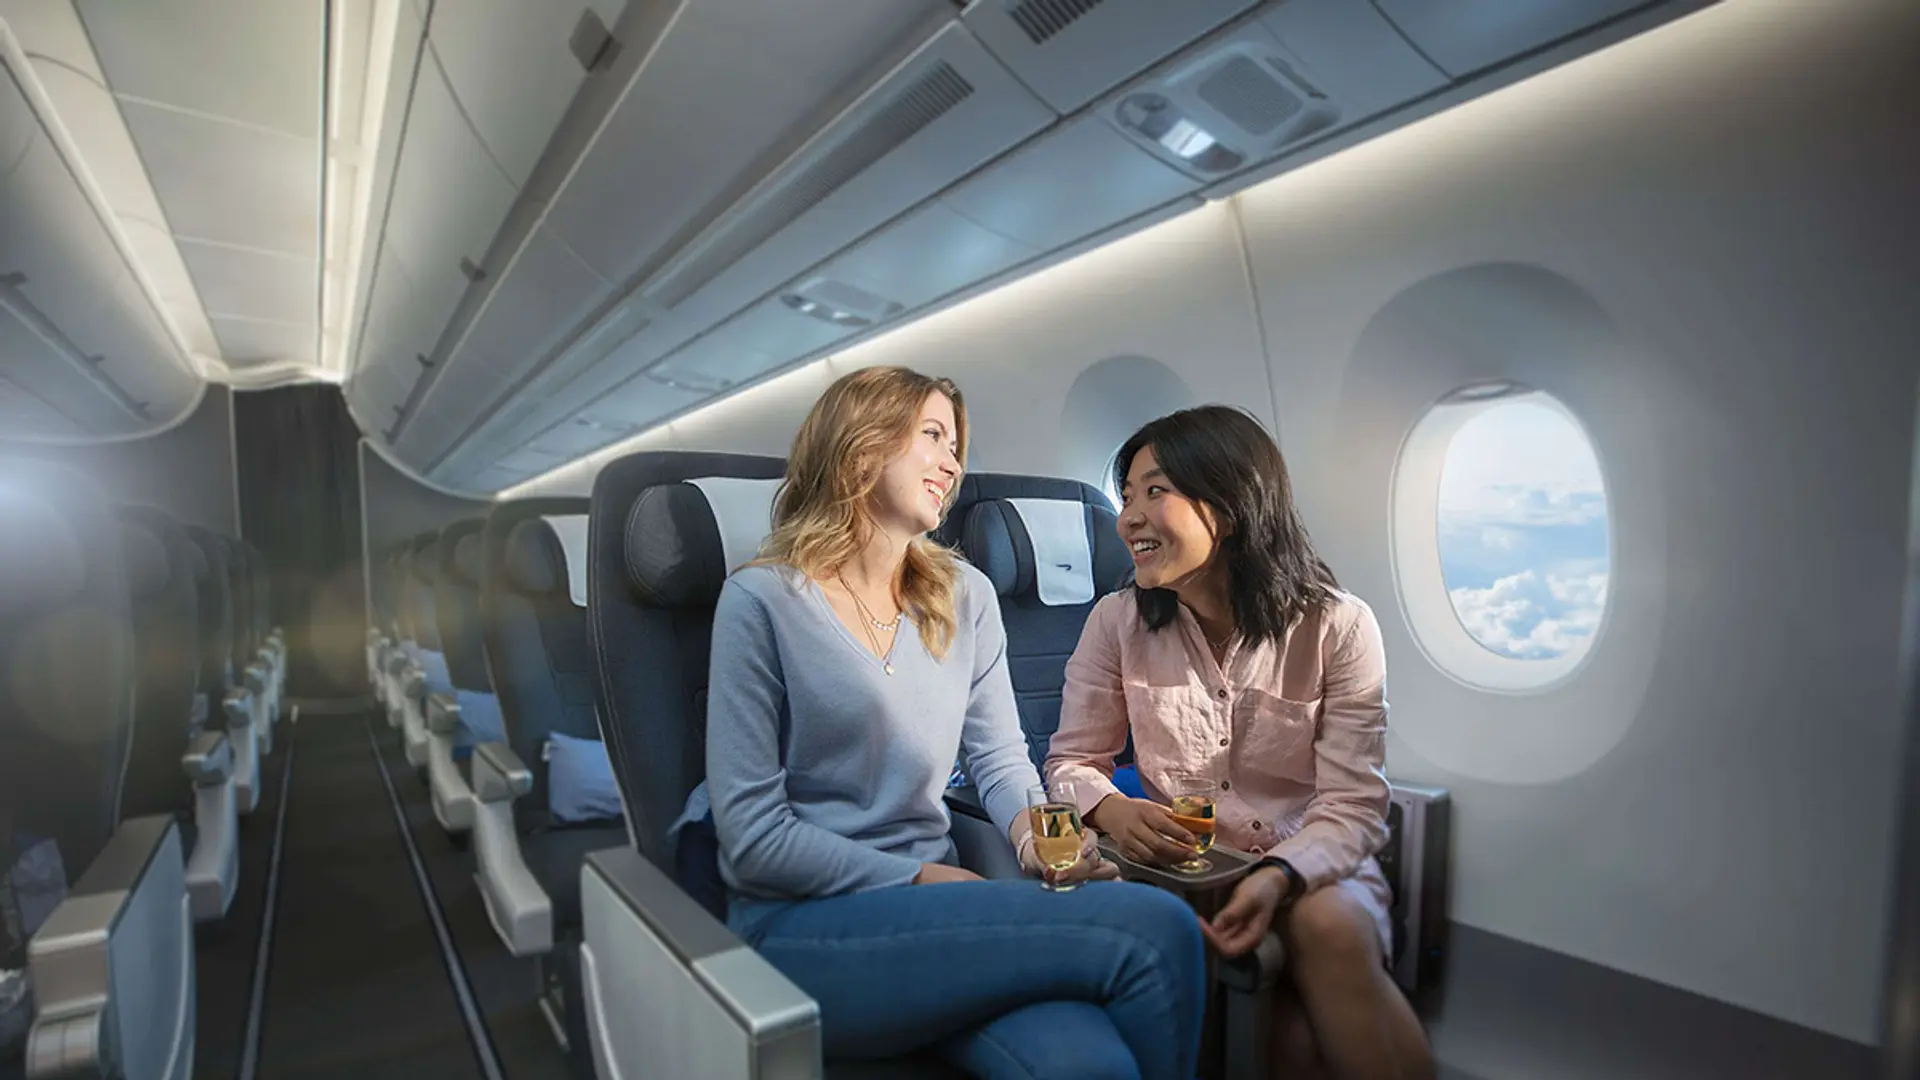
x: 516, y: 902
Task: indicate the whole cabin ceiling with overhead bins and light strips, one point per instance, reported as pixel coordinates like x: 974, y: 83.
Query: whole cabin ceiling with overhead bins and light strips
x: 550, y: 228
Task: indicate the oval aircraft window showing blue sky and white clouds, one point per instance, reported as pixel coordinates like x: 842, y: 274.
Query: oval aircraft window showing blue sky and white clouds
x: 1520, y: 524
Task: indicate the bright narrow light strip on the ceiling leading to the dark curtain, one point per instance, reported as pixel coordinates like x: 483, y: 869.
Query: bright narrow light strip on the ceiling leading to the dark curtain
x: 362, y: 66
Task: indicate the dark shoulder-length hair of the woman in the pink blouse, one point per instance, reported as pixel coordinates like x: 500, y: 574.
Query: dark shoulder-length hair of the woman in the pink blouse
x: 1226, y: 460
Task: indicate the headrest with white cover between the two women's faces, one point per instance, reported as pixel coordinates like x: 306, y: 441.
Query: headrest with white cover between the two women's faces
x: 1061, y: 551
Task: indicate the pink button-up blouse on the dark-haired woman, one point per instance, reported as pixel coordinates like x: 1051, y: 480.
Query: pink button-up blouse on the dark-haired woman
x: 1295, y: 731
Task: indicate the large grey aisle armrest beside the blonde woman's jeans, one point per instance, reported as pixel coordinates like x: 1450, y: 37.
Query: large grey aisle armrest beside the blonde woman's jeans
x: 648, y: 941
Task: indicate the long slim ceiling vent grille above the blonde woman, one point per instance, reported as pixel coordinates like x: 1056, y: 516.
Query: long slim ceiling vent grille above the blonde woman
x: 923, y: 103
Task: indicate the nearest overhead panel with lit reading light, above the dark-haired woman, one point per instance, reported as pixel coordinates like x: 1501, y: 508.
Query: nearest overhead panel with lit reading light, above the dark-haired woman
x: 1268, y: 86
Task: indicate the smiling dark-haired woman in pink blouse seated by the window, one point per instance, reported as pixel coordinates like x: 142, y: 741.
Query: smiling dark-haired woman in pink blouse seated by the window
x: 1243, y: 672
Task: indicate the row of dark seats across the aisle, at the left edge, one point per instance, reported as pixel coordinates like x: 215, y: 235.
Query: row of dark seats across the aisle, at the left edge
x: 141, y: 683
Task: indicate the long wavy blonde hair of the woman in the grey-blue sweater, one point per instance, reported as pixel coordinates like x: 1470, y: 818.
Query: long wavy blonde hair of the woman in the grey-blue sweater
x: 823, y: 512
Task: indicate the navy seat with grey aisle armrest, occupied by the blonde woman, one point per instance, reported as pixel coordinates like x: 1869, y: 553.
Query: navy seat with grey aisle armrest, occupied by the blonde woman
x: 660, y: 551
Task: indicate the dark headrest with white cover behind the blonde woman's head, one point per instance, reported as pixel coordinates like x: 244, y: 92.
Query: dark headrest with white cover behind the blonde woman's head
x: 683, y: 541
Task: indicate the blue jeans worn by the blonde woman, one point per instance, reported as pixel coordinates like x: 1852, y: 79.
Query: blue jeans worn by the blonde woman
x: 1003, y: 979
